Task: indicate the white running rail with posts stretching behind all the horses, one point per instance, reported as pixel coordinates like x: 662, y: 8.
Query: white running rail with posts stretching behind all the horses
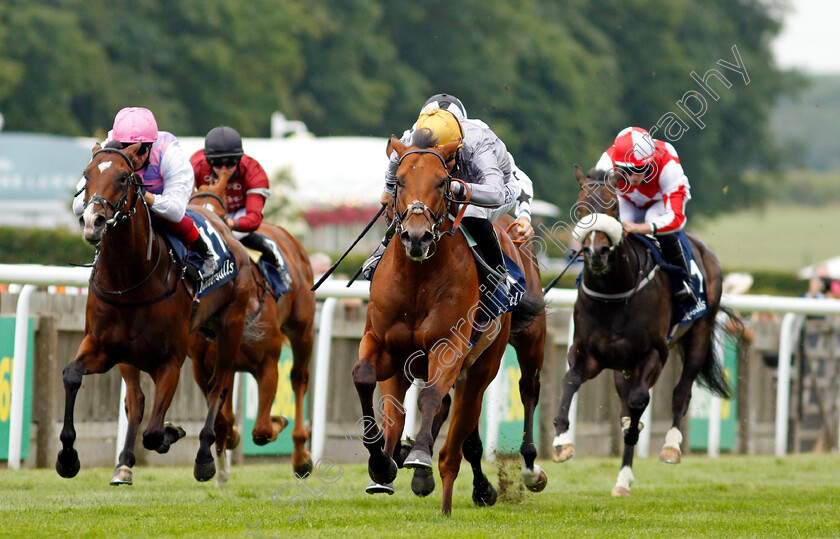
x: 35, y: 275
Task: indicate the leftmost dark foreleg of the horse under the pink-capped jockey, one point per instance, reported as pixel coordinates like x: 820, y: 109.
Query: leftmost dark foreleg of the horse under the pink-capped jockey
x: 88, y: 360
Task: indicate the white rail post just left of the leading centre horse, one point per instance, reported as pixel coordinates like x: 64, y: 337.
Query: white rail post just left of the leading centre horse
x: 322, y: 379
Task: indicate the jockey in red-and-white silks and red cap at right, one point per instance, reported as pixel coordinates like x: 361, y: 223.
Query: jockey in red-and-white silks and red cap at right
x: 652, y: 192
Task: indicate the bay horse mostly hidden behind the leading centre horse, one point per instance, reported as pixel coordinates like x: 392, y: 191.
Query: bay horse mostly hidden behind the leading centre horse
x: 529, y: 344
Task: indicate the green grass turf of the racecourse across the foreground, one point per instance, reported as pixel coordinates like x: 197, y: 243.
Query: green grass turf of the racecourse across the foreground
x: 734, y: 496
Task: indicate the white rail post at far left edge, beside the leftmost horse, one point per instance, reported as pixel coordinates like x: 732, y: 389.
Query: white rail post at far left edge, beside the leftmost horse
x: 16, y: 430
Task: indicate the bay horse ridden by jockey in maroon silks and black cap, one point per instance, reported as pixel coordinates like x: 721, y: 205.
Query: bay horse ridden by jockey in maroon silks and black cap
x: 292, y: 315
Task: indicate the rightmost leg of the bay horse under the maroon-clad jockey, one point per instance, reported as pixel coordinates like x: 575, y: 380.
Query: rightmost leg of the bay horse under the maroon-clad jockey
x: 301, y: 340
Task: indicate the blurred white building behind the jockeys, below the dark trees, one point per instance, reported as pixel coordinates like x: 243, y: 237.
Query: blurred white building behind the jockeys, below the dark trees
x: 336, y: 181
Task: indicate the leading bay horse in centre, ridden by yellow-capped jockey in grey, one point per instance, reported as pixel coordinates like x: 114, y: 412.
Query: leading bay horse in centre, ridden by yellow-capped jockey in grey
x: 424, y: 303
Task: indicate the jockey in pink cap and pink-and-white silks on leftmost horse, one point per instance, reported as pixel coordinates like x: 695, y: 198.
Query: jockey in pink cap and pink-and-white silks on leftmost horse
x: 167, y: 176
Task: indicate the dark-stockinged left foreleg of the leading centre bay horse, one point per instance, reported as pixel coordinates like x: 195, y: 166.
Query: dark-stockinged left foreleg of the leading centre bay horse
x: 381, y: 467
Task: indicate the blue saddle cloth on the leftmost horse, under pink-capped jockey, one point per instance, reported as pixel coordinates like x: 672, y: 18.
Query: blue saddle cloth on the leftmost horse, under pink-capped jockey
x: 228, y: 269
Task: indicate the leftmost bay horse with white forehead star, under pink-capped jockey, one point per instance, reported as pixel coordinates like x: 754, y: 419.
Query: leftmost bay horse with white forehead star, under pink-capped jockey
x: 140, y: 312
